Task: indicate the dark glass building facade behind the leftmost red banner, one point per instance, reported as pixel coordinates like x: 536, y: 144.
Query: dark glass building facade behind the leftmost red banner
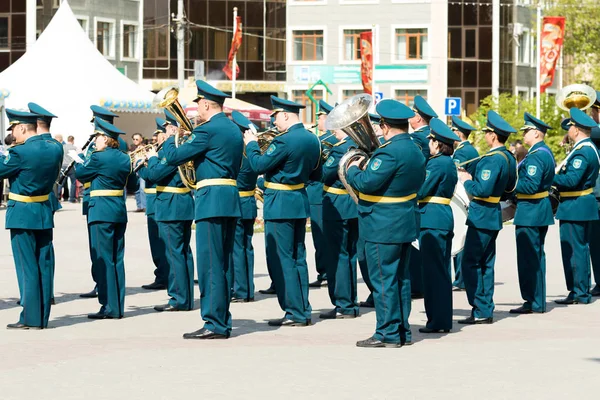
x: 208, y: 34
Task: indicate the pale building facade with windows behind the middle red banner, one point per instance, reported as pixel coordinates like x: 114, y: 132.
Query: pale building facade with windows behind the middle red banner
x: 323, y: 45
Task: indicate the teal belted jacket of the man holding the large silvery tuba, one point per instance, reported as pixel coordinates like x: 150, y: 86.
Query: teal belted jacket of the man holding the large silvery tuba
x: 396, y: 169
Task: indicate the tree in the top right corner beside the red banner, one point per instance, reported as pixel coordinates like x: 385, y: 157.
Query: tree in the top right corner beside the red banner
x: 581, y: 46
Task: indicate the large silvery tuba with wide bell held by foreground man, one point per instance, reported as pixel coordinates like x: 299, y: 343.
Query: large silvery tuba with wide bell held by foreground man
x: 352, y: 117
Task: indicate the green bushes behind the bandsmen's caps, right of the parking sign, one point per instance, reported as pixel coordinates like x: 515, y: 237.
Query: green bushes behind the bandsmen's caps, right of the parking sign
x: 512, y: 108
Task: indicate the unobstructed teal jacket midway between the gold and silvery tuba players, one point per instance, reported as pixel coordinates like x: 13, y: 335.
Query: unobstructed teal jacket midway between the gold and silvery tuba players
x: 291, y: 159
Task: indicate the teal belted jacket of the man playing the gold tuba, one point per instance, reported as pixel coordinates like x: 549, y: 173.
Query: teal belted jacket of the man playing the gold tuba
x: 216, y: 148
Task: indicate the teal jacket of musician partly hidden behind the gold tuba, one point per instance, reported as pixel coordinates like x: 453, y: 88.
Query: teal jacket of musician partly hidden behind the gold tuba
x: 169, y: 206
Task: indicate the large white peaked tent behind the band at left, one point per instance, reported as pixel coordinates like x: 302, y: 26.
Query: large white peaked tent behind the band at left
x: 65, y: 73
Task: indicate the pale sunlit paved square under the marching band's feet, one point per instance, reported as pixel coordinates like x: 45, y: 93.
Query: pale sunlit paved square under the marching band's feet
x: 143, y: 356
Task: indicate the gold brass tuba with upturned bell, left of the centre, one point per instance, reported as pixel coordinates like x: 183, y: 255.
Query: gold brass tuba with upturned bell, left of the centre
x: 167, y: 98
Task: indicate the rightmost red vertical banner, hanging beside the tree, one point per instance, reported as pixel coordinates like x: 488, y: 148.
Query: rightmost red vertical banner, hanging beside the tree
x: 553, y: 33
